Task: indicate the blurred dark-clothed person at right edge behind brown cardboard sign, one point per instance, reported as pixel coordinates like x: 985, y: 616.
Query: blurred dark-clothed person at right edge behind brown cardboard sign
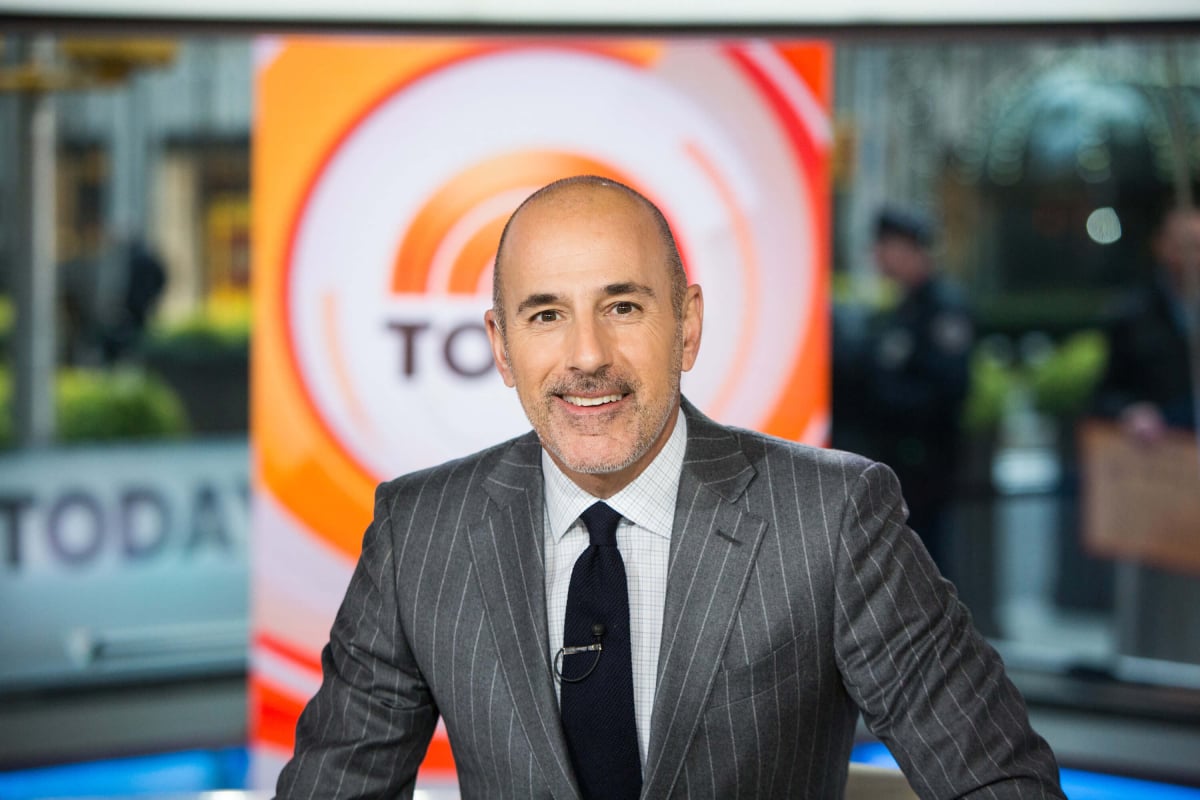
x: 1148, y: 383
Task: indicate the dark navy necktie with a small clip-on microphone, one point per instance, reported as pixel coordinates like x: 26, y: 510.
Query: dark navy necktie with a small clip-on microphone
x: 598, y: 706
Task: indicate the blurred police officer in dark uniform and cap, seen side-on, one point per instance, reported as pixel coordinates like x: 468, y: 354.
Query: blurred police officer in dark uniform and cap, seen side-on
x: 899, y: 392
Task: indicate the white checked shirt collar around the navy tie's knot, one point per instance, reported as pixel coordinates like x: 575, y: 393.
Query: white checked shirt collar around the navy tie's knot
x: 649, y: 501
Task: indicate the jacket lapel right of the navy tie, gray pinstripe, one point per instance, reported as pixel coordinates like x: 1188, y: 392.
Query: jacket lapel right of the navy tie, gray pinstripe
x: 713, y: 548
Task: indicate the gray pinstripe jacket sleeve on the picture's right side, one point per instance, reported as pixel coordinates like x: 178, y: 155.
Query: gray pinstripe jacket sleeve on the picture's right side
x: 929, y: 687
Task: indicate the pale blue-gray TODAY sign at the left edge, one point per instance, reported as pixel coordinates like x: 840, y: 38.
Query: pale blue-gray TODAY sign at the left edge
x: 116, y: 570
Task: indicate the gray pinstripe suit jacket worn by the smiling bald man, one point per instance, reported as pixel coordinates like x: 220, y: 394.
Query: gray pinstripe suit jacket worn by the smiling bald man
x: 796, y: 598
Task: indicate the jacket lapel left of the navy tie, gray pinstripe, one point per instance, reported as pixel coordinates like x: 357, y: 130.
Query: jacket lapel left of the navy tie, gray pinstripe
x: 507, y: 550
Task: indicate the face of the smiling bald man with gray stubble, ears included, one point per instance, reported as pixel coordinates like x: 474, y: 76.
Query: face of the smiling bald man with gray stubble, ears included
x: 592, y: 342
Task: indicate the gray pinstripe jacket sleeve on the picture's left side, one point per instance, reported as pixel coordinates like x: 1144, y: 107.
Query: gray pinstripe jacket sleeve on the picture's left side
x: 367, y: 731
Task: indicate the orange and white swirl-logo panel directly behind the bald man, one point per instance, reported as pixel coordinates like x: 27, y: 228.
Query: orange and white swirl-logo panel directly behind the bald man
x: 383, y: 173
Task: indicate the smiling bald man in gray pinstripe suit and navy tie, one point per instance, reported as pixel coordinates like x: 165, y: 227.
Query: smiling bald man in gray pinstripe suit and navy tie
x: 773, y: 590
